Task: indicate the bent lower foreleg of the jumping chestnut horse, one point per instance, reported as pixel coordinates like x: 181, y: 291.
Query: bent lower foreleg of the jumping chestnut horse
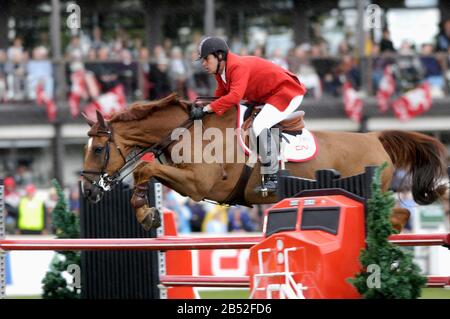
x: 148, y: 217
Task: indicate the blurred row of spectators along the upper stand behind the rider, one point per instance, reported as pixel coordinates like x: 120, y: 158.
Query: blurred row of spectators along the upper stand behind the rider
x: 169, y: 68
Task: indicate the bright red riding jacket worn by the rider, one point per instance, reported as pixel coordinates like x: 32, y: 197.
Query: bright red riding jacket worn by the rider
x: 256, y: 80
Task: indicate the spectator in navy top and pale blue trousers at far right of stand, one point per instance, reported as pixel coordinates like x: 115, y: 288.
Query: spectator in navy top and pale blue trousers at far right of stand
x: 432, y: 70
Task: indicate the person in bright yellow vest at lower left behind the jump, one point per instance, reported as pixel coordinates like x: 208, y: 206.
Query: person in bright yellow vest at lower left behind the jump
x: 32, y: 216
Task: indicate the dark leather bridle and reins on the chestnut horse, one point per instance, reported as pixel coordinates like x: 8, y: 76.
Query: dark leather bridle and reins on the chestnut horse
x: 106, y: 182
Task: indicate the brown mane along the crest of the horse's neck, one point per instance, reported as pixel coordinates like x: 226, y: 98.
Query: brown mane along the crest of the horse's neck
x: 142, y: 109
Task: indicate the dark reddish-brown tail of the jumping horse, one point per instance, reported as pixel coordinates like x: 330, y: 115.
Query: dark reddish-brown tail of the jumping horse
x: 423, y: 157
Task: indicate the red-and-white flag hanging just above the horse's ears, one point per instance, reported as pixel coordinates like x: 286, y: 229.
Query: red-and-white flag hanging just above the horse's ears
x: 108, y: 103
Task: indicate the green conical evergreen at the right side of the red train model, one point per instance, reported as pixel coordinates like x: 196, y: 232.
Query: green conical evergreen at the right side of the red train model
x: 398, y: 276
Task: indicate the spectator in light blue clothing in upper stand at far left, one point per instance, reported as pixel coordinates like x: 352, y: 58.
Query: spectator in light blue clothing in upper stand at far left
x: 40, y: 71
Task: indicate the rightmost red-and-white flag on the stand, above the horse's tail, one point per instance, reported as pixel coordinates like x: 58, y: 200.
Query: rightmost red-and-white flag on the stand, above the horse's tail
x: 413, y: 102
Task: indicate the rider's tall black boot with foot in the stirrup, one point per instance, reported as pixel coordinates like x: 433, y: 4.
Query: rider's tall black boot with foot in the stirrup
x: 268, y: 151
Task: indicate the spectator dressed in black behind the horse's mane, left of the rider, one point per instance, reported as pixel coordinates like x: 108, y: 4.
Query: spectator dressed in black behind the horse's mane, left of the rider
x: 159, y: 79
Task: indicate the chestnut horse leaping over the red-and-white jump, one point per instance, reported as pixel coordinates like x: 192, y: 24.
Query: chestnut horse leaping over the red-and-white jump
x: 150, y: 126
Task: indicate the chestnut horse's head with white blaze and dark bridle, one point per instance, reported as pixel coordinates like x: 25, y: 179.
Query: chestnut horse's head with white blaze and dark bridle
x: 103, y: 158
